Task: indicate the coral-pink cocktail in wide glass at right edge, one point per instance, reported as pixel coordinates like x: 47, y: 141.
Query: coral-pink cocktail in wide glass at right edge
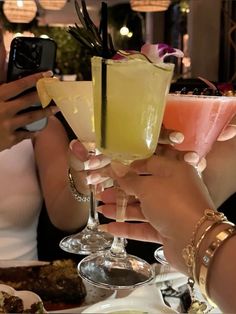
x: 200, y: 118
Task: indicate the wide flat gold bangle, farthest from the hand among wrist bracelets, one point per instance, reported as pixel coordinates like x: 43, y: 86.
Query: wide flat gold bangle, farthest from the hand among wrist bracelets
x: 208, y: 256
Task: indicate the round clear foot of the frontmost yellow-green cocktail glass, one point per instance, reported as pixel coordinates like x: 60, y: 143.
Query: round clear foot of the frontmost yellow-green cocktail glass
x: 109, y: 272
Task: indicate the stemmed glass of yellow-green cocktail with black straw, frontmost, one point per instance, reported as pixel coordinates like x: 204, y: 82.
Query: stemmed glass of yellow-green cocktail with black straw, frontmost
x: 129, y: 101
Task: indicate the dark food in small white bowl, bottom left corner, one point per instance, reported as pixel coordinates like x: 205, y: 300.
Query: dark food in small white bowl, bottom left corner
x: 14, y: 304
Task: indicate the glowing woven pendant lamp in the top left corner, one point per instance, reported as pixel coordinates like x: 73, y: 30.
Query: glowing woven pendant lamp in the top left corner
x: 17, y: 11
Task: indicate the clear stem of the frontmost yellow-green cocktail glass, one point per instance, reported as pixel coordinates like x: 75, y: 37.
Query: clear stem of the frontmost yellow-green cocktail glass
x: 118, y: 245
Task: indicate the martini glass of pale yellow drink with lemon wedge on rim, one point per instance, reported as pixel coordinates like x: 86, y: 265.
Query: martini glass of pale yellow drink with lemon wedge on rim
x: 75, y: 100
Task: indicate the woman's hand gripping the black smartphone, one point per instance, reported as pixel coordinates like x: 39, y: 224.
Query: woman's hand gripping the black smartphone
x: 11, y: 102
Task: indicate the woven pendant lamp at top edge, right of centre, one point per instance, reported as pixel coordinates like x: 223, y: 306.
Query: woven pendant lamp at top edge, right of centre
x: 150, y: 5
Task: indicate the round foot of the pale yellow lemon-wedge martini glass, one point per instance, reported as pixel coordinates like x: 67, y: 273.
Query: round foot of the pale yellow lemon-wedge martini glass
x: 86, y: 242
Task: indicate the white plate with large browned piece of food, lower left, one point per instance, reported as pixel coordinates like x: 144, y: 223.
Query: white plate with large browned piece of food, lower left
x: 56, y: 283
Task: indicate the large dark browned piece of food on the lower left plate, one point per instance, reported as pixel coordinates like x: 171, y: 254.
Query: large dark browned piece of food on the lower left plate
x: 56, y: 282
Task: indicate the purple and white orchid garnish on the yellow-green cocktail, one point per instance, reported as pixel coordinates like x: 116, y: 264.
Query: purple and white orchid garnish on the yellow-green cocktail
x: 158, y: 52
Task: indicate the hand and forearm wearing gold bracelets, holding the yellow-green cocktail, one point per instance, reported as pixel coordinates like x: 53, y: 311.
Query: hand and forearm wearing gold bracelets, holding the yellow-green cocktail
x: 173, y: 200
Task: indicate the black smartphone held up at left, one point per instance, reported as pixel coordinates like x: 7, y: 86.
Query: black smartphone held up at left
x: 29, y: 55
